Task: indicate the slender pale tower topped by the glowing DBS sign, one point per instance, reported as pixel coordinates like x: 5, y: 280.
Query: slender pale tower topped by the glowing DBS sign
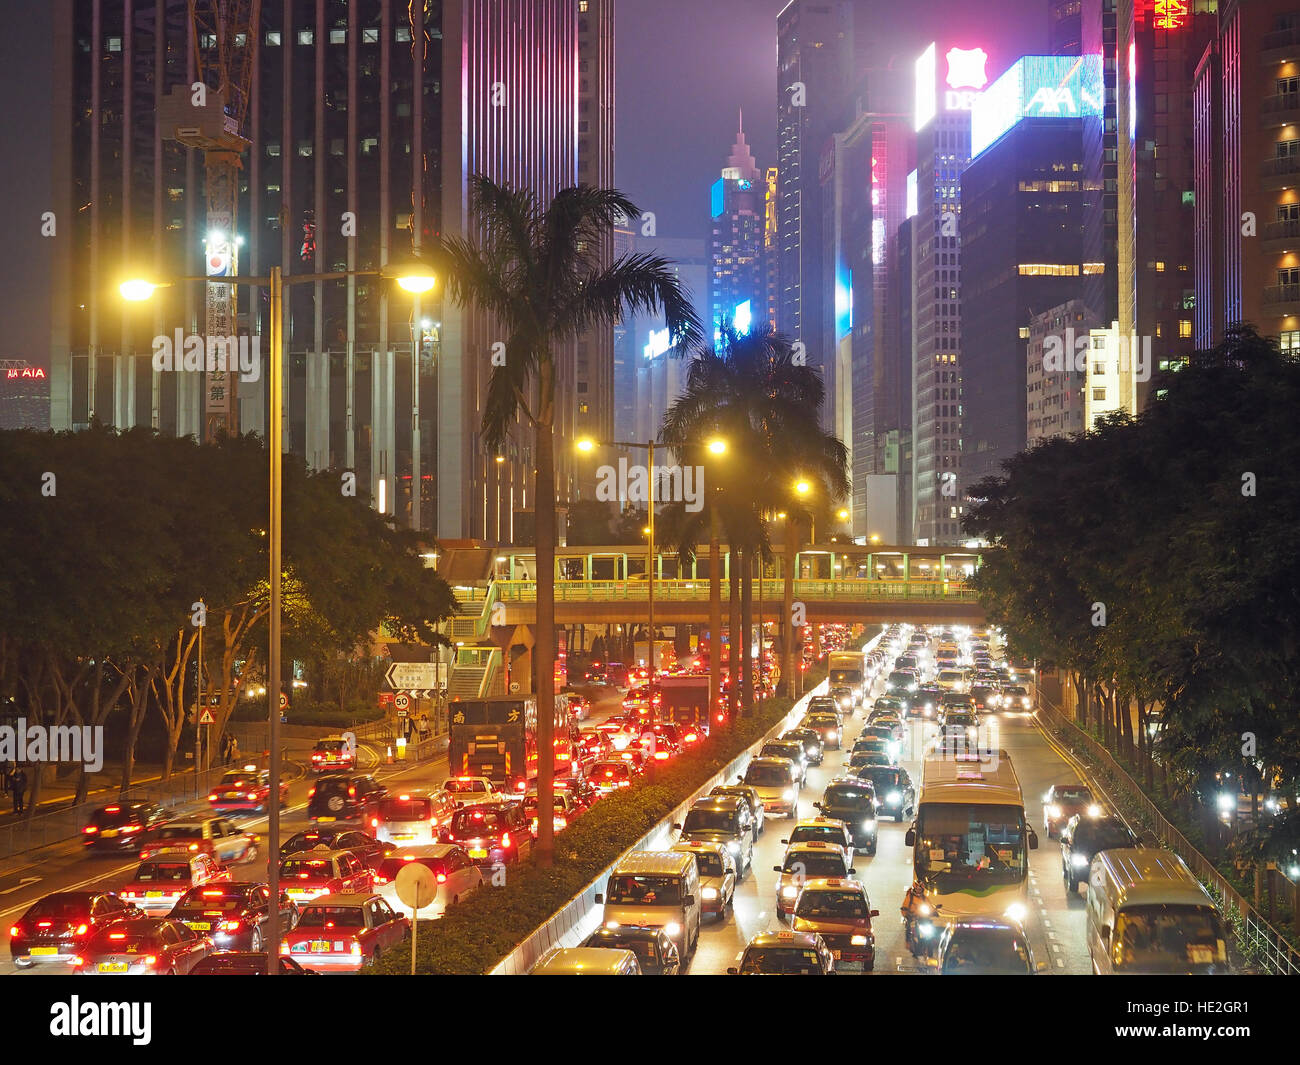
x: 948, y: 83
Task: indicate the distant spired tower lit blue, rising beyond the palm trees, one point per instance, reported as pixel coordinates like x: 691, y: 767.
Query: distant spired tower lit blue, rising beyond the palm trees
x: 738, y: 269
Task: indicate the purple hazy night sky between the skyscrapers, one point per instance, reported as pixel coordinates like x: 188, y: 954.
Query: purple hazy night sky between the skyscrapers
x: 686, y: 67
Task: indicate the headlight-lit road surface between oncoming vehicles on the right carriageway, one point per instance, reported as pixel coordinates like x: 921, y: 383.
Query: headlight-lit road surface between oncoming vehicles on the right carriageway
x: 1056, y: 924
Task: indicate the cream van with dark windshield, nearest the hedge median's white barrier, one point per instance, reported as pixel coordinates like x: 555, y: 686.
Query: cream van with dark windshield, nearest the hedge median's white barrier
x: 656, y: 890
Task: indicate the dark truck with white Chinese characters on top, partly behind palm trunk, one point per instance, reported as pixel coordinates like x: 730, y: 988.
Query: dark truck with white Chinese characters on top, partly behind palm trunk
x: 497, y: 738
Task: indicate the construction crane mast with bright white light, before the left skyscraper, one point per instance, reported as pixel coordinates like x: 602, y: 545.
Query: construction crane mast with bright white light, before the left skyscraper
x: 210, y: 115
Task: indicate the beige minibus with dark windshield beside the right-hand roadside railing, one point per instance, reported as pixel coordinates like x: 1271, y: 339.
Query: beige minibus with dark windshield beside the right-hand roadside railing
x: 1147, y: 914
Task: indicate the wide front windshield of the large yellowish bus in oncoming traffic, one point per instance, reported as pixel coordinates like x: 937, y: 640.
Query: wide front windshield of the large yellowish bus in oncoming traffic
x: 965, y: 846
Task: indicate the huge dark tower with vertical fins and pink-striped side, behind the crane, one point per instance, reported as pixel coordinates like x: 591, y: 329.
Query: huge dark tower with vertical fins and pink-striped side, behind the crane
x: 375, y: 112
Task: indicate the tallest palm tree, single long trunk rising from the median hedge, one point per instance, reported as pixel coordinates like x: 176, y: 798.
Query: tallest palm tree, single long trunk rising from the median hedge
x: 539, y: 271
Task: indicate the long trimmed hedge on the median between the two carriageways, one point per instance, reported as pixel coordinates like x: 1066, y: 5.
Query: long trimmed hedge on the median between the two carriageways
x: 479, y: 933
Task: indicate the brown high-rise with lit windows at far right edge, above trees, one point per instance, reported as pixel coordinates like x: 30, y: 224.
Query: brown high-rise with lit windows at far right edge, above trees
x: 1247, y: 106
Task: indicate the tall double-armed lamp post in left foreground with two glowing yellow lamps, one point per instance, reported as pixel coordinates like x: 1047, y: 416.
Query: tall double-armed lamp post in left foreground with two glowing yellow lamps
x: 413, y: 279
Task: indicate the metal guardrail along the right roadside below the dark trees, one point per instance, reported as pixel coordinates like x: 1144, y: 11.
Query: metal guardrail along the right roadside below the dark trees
x: 1259, y: 941
